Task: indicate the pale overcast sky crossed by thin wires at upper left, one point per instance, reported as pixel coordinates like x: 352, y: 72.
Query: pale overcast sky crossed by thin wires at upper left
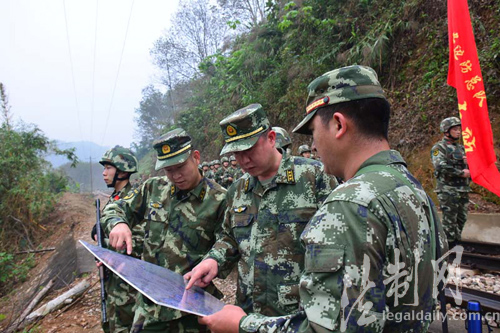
x: 35, y: 64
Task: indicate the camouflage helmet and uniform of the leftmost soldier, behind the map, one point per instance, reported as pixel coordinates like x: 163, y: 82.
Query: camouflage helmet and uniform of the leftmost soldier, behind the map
x: 120, y: 298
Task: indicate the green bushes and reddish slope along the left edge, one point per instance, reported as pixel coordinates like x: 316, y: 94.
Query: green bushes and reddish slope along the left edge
x: 29, y: 189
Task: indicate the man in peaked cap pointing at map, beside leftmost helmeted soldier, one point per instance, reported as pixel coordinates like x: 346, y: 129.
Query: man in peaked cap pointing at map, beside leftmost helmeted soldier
x: 182, y: 213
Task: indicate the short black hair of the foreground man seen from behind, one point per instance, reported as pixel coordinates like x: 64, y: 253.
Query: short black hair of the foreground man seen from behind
x: 370, y: 115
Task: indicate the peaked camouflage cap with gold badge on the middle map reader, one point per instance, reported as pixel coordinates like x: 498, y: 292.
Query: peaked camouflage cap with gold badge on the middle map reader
x: 242, y: 129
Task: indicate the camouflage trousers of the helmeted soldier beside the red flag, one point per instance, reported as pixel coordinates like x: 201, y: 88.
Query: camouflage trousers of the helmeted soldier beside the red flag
x: 454, y: 207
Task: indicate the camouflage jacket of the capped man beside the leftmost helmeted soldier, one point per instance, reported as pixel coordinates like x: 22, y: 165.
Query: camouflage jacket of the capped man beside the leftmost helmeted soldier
x: 180, y: 227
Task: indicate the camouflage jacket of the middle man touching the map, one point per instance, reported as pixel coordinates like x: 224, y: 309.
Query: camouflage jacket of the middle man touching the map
x: 262, y: 228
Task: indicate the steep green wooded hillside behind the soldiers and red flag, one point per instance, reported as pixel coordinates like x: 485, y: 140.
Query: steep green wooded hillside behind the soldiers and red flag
x: 272, y: 61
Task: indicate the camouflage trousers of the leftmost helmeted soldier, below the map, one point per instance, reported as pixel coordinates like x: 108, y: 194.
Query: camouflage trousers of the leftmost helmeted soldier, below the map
x: 119, y: 305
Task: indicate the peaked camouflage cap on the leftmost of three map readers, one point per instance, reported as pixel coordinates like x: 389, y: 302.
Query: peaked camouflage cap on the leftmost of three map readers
x: 173, y: 147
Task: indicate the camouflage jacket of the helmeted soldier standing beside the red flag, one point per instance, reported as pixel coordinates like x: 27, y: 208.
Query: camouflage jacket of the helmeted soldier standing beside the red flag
x: 449, y: 161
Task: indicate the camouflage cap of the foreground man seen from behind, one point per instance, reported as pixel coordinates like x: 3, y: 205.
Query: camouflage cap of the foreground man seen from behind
x: 340, y: 85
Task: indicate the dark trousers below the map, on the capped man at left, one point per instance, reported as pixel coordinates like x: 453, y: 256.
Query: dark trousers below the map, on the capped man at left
x: 186, y: 324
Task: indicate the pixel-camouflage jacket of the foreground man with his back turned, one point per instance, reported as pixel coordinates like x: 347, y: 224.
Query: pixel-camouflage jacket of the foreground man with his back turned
x: 368, y: 253
